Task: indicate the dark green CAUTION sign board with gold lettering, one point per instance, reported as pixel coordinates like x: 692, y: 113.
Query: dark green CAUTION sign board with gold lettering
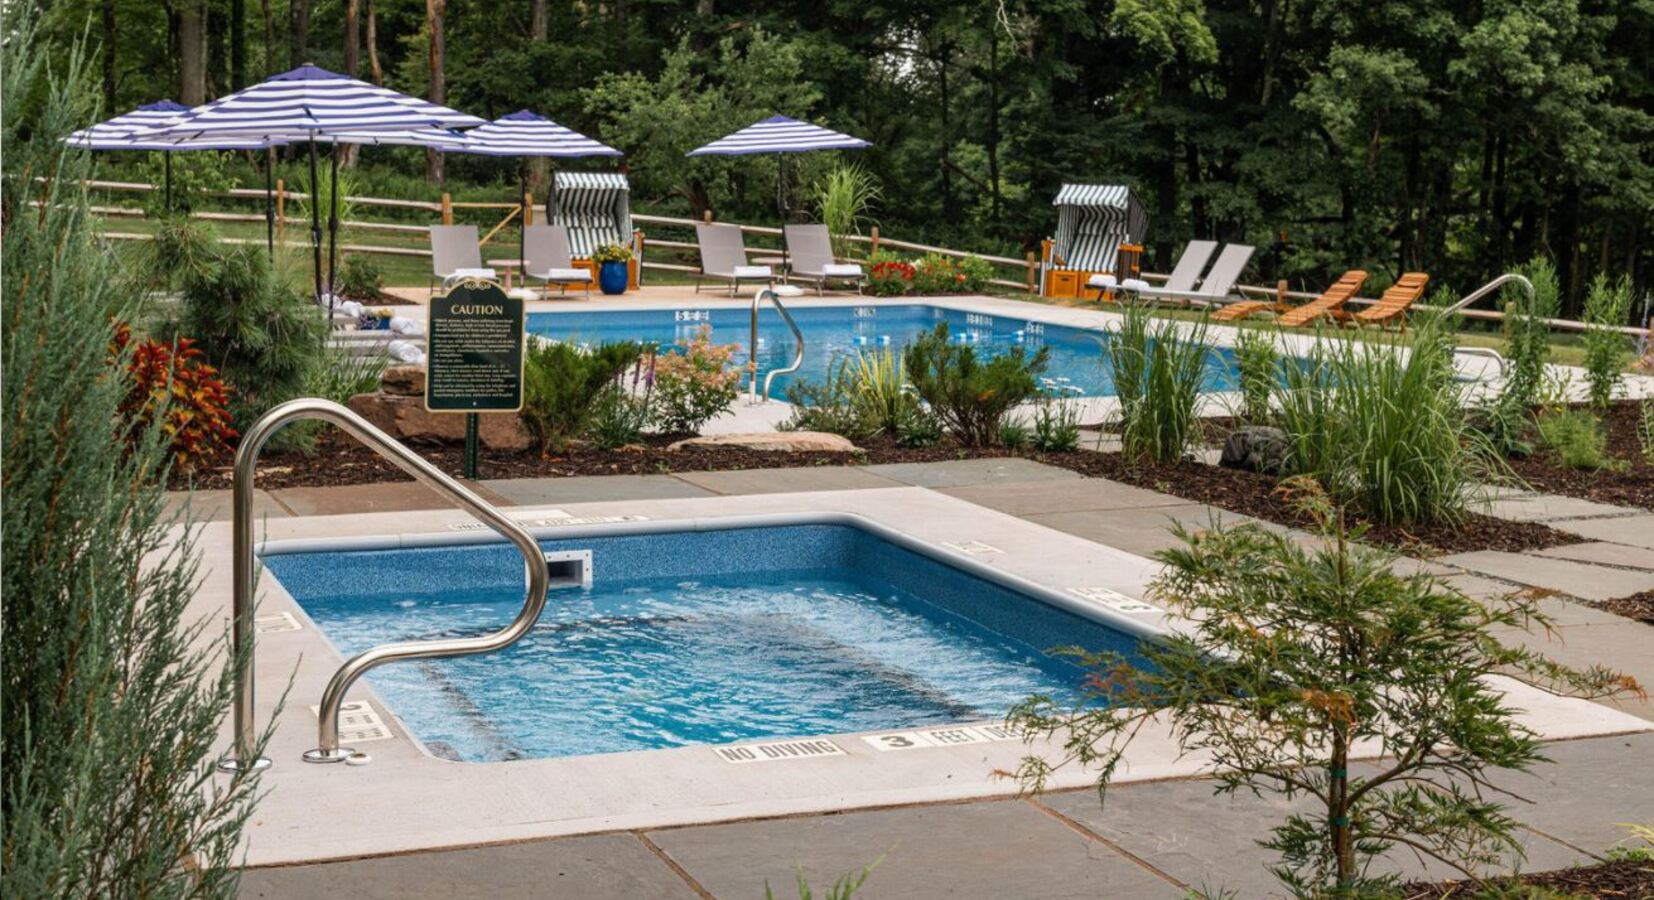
x: 476, y: 350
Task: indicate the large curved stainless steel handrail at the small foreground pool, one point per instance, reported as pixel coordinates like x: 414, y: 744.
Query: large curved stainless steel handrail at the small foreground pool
x: 333, y: 697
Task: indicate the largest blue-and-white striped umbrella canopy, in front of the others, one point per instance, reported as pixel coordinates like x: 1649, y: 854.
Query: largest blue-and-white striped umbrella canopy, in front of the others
x: 312, y: 102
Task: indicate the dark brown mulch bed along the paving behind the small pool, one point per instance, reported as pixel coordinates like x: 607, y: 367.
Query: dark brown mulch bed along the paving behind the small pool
x: 342, y: 461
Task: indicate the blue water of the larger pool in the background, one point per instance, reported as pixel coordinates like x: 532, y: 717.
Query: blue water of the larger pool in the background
x: 1076, y: 355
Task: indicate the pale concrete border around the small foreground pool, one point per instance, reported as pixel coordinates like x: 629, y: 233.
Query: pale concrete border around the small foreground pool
x: 409, y: 802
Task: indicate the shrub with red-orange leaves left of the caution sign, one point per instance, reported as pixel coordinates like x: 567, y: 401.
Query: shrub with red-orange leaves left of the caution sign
x: 189, y: 396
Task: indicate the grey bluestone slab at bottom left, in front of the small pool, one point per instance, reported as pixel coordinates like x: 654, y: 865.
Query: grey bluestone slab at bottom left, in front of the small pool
x: 595, y: 868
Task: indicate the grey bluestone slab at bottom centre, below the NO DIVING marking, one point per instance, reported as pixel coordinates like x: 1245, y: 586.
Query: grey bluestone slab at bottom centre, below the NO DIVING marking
x: 977, y: 850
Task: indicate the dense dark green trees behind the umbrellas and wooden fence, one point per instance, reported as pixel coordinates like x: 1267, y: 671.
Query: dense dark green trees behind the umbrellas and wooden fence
x: 1412, y: 135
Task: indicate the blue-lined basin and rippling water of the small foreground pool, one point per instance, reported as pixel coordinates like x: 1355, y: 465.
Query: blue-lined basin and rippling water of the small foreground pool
x: 692, y: 639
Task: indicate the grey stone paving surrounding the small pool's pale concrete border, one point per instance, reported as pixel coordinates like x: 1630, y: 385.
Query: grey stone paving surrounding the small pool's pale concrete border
x: 1154, y: 840
